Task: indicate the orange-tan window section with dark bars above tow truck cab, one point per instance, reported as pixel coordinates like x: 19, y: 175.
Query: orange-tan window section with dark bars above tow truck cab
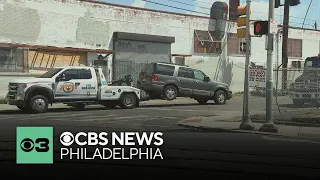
x: 42, y: 60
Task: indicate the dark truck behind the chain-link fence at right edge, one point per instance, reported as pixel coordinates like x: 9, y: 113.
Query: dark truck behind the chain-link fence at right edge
x: 305, y: 88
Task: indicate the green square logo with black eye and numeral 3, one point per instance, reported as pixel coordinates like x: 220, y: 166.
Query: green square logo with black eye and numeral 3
x: 34, y: 145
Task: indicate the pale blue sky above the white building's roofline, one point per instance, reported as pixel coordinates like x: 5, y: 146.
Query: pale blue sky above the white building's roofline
x: 259, y: 9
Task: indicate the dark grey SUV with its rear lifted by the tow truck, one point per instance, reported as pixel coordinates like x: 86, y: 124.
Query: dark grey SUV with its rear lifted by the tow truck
x: 168, y: 81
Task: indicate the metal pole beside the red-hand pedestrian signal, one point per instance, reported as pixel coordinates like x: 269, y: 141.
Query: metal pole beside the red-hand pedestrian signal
x: 269, y: 126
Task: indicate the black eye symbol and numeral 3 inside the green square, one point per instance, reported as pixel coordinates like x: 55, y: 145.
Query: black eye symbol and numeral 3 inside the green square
x: 40, y: 145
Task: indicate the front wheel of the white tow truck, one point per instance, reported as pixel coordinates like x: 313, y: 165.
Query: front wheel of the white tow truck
x: 38, y: 104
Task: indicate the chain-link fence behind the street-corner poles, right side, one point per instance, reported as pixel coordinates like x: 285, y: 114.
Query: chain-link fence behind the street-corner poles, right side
x: 296, y: 93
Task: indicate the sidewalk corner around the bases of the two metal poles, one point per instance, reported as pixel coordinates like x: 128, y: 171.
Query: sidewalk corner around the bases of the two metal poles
x: 231, y: 123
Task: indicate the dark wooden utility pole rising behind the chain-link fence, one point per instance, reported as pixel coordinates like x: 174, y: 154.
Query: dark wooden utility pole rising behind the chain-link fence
x: 285, y: 30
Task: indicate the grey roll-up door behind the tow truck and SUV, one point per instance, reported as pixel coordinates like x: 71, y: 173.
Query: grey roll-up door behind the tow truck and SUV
x: 130, y: 56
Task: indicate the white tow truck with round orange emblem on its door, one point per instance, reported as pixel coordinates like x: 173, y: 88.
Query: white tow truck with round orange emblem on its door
x: 74, y: 86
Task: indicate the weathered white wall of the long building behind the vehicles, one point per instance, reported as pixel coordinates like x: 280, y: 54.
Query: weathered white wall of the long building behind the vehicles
x: 79, y: 24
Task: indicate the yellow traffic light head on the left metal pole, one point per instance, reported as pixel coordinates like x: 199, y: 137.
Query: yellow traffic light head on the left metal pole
x: 242, y: 21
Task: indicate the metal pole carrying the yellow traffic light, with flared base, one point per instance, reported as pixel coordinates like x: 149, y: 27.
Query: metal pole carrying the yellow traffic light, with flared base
x: 247, y: 123
